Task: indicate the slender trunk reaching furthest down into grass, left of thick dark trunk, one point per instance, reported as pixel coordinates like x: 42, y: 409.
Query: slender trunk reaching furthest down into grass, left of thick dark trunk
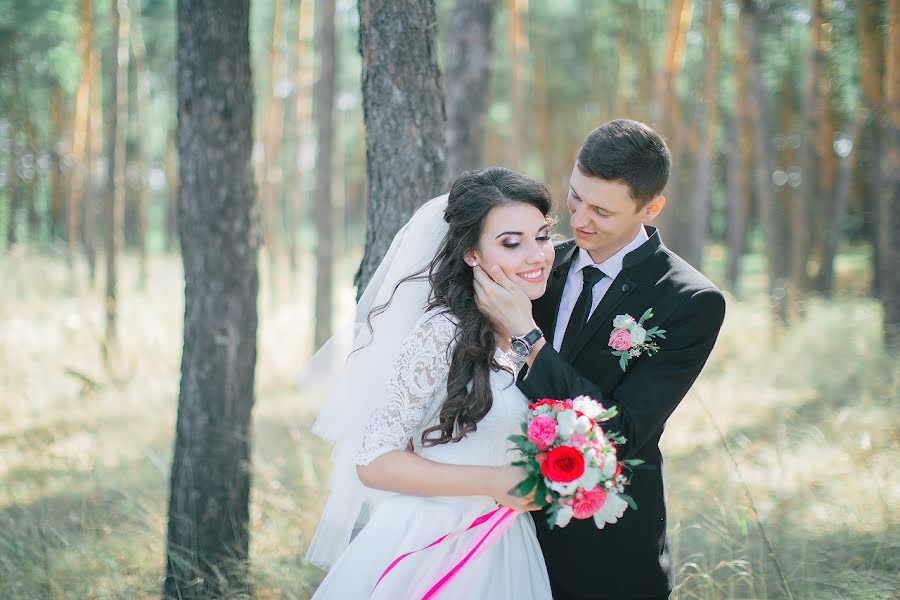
x: 118, y: 125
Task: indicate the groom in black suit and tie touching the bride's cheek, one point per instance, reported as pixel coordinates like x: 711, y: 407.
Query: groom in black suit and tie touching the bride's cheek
x: 616, y: 265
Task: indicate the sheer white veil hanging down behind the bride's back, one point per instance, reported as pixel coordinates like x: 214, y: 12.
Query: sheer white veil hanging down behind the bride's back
x: 352, y: 371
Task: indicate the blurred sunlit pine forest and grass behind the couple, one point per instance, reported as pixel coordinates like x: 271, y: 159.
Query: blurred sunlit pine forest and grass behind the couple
x: 782, y: 117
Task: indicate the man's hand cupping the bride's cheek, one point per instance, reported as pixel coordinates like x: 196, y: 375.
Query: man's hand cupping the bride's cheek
x: 503, y: 301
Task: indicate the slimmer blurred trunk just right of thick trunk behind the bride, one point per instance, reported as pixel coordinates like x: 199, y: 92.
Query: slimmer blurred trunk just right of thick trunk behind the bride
x: 468, y: 69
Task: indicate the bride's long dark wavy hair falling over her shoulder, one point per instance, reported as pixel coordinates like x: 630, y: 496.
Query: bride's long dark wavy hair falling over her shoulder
x: 472, y: 196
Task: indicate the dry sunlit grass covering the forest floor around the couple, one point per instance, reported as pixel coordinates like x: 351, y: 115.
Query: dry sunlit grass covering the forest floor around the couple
x: 796, y: 436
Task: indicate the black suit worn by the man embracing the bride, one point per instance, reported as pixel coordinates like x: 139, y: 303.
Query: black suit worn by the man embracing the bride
x: 628, y: 559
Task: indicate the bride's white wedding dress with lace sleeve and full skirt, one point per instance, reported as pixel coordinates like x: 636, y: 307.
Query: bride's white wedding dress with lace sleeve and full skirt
x: 511, y: 567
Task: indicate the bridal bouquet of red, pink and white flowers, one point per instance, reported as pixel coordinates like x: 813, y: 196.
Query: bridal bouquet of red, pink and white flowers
x: 571, y: 462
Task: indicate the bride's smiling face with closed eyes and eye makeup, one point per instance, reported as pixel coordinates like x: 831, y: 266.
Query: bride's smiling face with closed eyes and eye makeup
x: 517, y: 238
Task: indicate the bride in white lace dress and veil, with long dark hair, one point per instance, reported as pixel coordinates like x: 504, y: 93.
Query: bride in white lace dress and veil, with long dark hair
x: 422, y: 401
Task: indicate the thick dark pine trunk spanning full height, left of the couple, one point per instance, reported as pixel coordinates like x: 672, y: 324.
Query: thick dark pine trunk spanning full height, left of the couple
x: 208, y: 537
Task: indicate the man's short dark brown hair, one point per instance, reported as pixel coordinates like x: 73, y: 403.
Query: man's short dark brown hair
x: 629, y: 152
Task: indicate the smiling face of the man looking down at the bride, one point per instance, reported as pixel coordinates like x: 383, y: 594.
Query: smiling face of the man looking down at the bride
x: 604, y: 217
